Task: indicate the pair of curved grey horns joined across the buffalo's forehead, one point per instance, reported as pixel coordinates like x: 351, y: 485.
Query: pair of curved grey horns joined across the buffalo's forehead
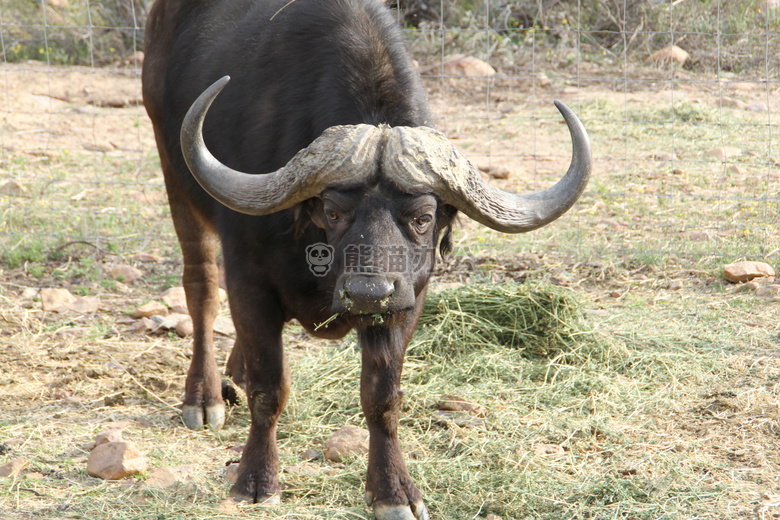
x: 412, y: 157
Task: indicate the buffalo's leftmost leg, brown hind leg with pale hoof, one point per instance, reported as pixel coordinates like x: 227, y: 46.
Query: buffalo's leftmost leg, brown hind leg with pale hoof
x: 203, y: 403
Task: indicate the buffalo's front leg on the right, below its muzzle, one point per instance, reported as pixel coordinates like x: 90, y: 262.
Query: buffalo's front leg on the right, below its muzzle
x: 389, y: 488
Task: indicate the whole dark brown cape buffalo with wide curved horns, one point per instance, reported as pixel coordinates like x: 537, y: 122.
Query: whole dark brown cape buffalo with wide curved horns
x: 323, y: 101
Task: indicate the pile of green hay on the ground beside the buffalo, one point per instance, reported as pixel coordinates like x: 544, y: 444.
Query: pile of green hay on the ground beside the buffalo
x: 542, y: 319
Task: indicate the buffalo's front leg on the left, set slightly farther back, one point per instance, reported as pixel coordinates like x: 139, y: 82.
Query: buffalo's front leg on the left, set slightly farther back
x: 259, y: 323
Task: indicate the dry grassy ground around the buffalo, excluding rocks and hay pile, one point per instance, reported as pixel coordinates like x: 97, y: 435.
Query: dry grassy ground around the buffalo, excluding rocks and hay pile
x: 682, y: 424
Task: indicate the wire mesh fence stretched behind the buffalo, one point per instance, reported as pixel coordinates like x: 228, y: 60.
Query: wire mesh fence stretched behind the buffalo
x: 686, y: 161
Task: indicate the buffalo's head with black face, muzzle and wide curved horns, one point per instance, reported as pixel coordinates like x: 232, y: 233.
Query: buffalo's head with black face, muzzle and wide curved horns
x: 383, y: 195
